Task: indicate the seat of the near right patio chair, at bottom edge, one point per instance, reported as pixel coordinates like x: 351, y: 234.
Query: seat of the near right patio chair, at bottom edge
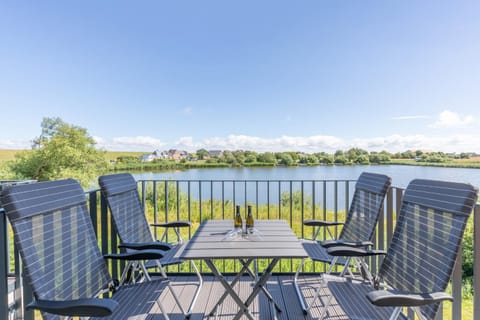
x: 350, y: 295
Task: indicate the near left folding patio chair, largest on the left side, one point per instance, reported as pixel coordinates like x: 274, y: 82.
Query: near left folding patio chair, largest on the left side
x: 61, y: 258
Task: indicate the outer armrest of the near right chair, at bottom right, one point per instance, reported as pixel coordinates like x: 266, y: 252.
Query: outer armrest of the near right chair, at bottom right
x: 393, y: 298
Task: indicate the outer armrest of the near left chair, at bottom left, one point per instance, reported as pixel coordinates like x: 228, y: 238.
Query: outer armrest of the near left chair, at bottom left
x: 93, y: 307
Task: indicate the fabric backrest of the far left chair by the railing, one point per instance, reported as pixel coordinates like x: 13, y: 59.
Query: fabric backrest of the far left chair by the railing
x: 120, y: 191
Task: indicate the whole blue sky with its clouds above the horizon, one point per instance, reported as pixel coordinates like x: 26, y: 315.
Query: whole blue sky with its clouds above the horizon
x: 261, y: 75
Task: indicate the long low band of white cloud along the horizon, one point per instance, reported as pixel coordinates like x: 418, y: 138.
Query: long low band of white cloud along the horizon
x: 309, y: 144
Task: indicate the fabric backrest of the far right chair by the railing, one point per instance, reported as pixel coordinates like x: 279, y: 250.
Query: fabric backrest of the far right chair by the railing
x: 367, y: 203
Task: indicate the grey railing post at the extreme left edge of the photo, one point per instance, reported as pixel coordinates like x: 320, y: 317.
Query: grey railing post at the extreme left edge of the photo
x: 3, y: 266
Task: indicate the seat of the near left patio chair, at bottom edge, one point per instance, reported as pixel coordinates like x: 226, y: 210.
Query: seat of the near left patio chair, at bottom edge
x: 136, y: 301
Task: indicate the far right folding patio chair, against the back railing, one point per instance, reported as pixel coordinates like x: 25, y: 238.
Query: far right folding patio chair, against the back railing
x: 357, y: 231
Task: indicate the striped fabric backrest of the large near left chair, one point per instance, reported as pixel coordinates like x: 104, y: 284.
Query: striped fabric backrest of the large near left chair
x: 56, y: 240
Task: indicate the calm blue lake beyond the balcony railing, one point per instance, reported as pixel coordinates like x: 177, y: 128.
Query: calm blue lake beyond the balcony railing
x: 250, y: 185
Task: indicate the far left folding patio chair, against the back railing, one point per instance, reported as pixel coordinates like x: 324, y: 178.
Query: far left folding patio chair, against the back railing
x: 121, y: 194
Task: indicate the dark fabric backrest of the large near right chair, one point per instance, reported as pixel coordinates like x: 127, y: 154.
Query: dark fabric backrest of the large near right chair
x: 427, y: 237
